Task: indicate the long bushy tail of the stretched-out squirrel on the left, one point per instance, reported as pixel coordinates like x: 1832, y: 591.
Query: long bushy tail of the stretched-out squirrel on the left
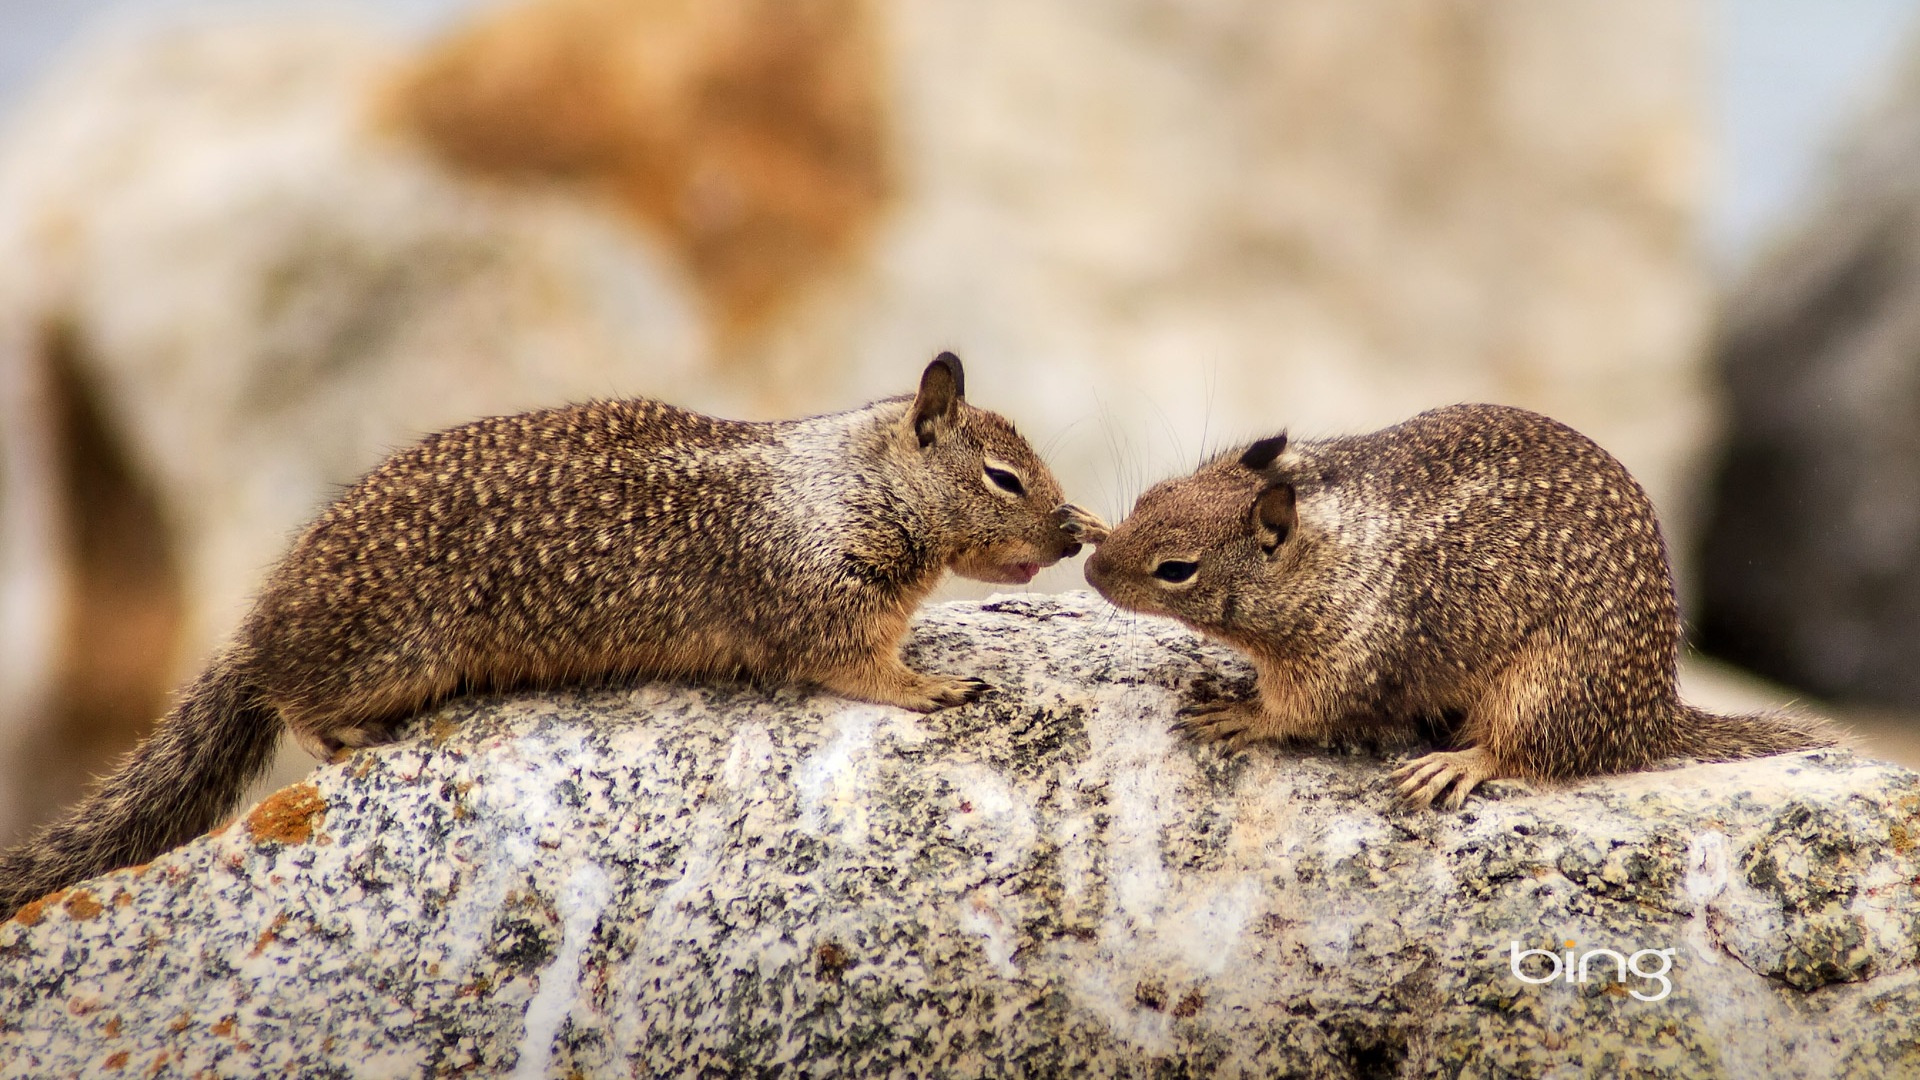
x: 170, y: 789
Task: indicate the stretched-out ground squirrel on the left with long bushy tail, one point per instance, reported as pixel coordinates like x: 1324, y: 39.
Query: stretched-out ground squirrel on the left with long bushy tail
x: 587, y: 543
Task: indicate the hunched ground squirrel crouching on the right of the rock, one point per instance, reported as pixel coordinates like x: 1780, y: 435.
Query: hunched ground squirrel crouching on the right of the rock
x: 1481, y: 568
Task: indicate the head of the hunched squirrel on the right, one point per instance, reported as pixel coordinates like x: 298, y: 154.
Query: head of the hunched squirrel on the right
x: 1199, y: 549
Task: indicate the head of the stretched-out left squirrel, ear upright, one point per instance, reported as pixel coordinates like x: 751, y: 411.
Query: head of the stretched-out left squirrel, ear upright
x: 999, y: 501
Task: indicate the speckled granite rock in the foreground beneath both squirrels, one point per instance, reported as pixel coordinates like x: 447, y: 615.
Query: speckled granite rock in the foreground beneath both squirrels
x: 725, y: 883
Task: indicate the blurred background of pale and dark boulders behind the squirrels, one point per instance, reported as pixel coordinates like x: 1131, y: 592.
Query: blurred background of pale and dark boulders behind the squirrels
x: 251, y: 249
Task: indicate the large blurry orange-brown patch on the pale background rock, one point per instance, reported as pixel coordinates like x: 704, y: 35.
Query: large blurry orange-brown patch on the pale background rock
x: 748, y: 135
